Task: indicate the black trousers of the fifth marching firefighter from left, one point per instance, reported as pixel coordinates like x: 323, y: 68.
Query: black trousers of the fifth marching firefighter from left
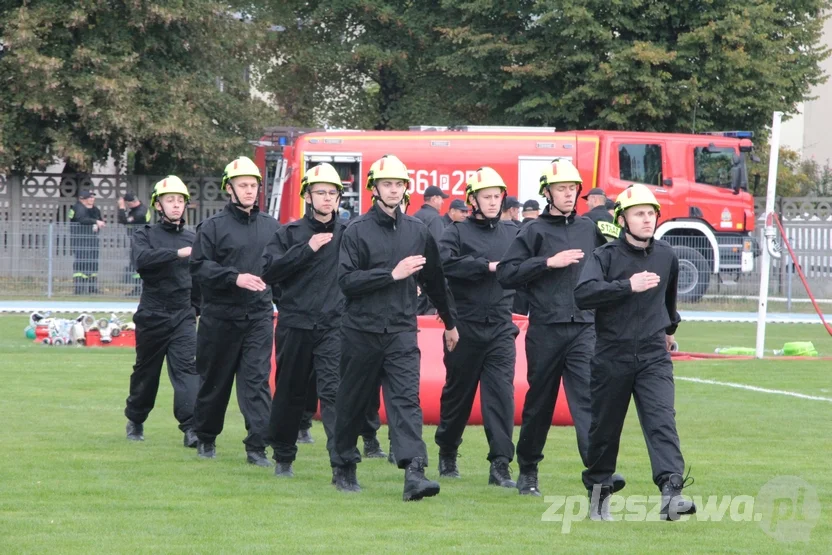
x: 484, y: 357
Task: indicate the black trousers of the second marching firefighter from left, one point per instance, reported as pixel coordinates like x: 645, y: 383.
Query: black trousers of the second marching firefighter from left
x: 225, y: 349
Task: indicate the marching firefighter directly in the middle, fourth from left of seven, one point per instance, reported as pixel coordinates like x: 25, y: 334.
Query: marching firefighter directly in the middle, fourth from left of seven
x: 383, y: 254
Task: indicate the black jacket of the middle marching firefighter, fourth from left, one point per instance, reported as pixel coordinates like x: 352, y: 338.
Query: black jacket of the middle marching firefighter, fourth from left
x: 371, y: 246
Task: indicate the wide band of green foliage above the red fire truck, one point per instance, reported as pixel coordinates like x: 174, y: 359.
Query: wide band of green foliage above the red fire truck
x: 620, y: 64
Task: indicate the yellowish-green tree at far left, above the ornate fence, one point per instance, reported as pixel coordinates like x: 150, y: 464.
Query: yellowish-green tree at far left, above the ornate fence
x: 166, y: 80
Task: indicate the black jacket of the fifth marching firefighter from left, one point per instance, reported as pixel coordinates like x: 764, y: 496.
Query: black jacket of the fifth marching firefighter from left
x: 466, y: 249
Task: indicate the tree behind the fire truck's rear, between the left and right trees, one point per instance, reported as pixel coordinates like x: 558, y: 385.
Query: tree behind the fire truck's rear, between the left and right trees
x: 364, y: 64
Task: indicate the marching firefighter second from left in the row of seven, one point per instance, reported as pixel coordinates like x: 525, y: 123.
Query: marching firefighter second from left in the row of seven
x: 236, y: 329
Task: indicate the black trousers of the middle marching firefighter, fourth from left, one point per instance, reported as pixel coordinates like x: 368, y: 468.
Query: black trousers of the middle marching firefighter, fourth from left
x: 365, y: 358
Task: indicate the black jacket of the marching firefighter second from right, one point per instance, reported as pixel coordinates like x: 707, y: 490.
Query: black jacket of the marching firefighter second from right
x: 550, y: 290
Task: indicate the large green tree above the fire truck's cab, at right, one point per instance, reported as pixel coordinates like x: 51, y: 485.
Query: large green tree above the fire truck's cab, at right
x: 638, y: 64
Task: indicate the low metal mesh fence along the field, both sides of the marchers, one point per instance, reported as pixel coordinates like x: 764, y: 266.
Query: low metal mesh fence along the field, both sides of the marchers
x: 58, y: 260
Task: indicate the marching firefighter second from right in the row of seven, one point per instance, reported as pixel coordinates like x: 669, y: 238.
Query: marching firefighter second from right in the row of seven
x: 546, y: 257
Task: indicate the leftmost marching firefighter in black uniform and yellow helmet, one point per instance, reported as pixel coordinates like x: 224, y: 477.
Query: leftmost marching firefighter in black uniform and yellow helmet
x: 166, y: 317
